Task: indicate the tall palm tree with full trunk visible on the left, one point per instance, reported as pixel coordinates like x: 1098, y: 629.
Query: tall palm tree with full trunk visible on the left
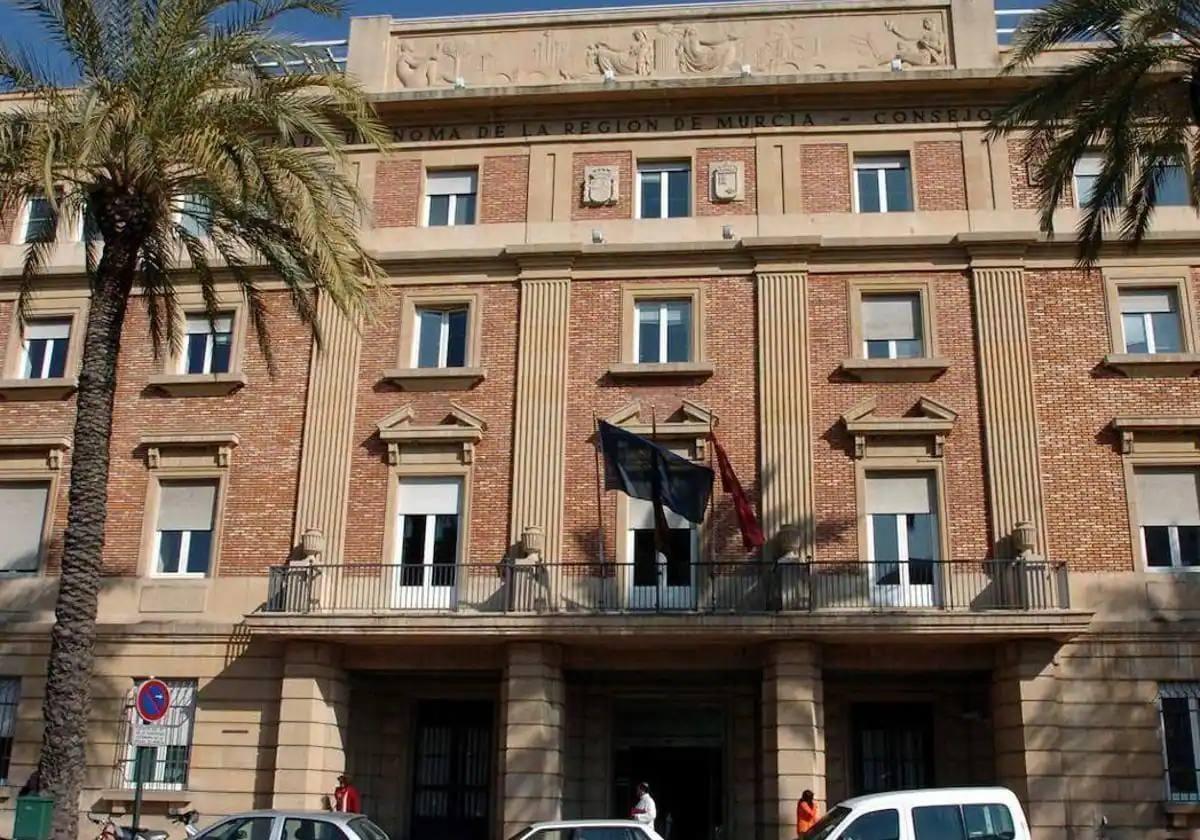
x: 176, y: 101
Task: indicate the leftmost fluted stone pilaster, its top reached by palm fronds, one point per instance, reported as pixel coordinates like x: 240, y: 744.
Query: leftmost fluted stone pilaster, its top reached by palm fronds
x: 329, y: 430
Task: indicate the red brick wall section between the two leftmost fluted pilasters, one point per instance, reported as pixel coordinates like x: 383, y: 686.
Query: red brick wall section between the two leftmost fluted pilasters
x: 493, y: 400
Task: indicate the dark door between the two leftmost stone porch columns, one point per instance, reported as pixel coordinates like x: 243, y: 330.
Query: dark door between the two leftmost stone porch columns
x: 453, y: 771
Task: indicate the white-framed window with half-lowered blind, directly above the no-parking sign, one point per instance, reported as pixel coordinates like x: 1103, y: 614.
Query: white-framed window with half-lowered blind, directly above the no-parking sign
x: 184, y: 535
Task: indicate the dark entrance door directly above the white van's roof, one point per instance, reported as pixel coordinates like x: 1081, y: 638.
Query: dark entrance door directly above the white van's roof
x: 893, y: 747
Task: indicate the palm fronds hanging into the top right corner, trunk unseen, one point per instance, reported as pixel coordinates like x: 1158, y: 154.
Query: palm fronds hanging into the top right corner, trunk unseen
x: 1133, y: 98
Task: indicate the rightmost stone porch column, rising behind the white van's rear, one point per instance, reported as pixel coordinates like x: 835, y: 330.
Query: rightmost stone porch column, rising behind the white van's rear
x: 1027, y: 728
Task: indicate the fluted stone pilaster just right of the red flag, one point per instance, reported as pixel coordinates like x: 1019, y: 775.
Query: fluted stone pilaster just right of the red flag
x: 784, y: 413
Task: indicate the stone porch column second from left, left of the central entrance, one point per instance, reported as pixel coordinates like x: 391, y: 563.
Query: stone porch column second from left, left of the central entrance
x: 533, y: 704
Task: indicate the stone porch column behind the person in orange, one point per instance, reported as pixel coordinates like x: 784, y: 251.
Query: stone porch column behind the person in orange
x: 793, y: 735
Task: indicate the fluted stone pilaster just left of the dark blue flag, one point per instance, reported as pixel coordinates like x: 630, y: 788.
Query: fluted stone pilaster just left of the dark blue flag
x: 541, y: 434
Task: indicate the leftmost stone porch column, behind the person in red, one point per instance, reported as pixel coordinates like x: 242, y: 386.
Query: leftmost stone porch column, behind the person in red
x: 314, y: 725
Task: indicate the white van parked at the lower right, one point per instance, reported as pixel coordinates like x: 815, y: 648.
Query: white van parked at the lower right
x: 938, y: 814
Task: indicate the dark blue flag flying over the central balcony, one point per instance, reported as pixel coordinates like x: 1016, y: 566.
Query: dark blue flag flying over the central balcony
x: 644, y: 470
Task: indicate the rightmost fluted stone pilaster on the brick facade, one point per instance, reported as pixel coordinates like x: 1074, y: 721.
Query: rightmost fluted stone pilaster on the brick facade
x: 1010, y: 416
